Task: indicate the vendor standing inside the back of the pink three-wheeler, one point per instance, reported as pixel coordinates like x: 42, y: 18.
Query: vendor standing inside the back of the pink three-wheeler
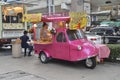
x: 45, y: 34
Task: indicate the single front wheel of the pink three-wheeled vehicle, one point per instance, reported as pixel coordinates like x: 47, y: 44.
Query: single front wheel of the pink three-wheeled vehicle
x: 90, y: 63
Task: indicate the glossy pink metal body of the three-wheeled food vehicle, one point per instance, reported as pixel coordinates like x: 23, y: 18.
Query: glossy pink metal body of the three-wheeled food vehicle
x: 68, y: 50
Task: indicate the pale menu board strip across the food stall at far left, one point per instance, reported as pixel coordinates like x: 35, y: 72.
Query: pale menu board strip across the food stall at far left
x: 13, y: 26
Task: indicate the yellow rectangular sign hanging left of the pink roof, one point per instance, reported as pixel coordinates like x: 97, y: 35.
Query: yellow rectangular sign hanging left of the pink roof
x: 32, y: 17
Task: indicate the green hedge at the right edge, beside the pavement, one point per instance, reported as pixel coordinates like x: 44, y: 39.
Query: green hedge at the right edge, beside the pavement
x: 114, y: 52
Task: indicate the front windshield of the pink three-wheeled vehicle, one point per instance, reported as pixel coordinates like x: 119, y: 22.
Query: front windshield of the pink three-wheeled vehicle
x: 75, y: 34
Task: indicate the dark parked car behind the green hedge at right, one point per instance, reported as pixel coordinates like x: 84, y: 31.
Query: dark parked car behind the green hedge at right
x: 109, y: 34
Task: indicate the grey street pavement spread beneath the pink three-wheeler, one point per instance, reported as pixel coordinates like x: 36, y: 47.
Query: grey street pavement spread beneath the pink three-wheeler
x: 30, y: 68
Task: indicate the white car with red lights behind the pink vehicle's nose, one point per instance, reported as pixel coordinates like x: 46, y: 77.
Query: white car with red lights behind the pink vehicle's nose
x: 97, y: 39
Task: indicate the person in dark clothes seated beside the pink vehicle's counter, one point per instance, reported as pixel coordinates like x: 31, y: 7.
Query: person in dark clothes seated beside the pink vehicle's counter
x: 25, y: 45
